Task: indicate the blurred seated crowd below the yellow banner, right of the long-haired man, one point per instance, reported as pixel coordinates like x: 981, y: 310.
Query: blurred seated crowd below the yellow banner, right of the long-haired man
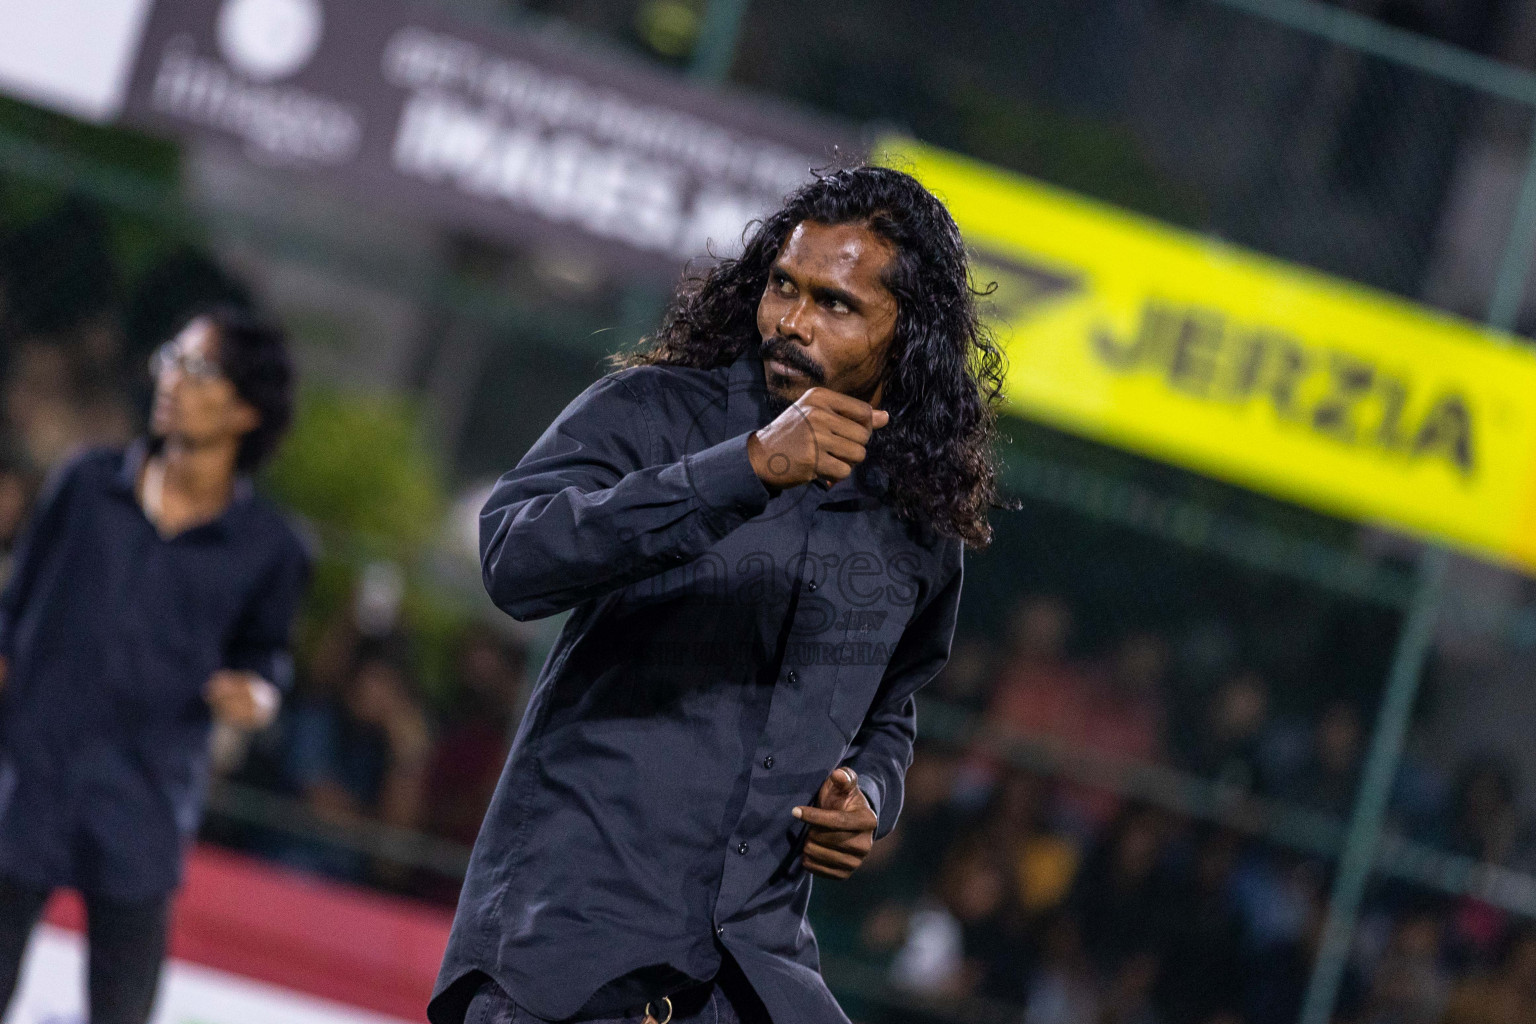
x: 1085, y: 908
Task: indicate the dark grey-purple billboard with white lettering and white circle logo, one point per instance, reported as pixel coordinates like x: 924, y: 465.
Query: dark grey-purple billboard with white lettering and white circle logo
x: 486, y: 130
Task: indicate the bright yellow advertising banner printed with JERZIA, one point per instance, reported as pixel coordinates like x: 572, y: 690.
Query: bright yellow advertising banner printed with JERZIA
x: 1248, y: 369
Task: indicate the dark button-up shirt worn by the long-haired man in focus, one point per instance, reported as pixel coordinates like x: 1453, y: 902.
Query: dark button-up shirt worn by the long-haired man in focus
x: 729, y: 650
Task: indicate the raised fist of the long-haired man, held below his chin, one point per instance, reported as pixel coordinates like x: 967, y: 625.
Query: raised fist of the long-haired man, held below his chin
x: 821, y: 437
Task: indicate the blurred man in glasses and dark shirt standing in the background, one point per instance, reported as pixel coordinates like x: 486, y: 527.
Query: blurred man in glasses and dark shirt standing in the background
x: 151, y: 596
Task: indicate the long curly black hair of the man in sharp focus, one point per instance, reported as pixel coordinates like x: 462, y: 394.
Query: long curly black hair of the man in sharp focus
x: 944, y: 377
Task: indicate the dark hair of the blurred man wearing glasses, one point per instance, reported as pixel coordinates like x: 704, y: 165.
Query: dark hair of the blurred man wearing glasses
x: 254, y: 355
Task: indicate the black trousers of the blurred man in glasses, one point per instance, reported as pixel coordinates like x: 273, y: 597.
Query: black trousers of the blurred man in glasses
x: 127, y: 946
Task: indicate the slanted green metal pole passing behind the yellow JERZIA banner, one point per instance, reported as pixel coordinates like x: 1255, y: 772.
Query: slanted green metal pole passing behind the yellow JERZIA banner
x: 1408, y: 667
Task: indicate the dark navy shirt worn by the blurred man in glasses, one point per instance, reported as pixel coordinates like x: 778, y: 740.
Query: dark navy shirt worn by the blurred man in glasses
x: 111, y: 633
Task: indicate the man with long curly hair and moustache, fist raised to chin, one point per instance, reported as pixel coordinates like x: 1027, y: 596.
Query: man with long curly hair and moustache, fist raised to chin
x: 758, y: 524
